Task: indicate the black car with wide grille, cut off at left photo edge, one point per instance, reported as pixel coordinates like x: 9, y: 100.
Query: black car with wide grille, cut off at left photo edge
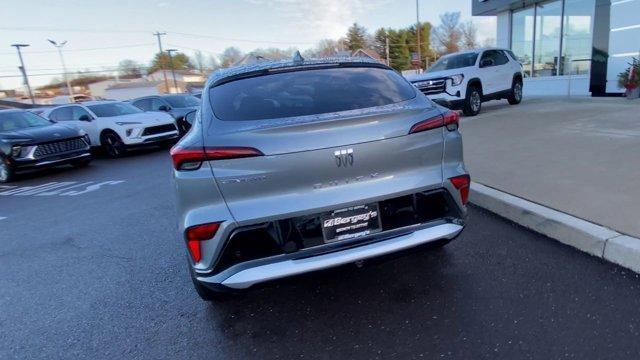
x: 29, y: 142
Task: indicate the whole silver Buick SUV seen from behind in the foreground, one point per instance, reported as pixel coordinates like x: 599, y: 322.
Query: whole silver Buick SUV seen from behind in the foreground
x: 299, y: 166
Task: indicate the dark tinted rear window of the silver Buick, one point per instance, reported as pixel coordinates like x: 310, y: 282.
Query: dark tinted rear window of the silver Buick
x: 308, y: 92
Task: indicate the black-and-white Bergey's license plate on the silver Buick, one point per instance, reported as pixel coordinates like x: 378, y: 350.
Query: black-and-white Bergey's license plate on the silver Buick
x: 350, y: 223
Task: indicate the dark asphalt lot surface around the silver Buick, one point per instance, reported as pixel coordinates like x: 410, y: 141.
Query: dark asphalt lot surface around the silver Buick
x: 91, y: 267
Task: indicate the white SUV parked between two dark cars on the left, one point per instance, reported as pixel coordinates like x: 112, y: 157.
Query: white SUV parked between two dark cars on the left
x: 116, y: 126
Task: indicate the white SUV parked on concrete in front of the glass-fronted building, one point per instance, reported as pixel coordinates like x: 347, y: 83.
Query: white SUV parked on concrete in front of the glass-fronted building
x: 464, y: 80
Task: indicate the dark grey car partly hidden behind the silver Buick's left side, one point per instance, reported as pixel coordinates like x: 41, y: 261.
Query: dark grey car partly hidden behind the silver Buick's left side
x: 177, y: 105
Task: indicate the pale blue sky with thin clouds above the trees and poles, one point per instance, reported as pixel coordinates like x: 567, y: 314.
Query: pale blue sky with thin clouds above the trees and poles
x: 101, y: 33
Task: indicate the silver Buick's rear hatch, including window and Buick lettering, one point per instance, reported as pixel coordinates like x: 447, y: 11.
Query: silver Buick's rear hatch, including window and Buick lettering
x: 328, y: 139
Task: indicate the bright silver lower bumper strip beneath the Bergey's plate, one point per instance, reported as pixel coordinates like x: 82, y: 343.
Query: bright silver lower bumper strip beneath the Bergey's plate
x: 245, y: 275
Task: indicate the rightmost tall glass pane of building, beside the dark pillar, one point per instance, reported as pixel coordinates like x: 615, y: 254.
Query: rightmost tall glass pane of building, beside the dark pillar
x: 577, y: 37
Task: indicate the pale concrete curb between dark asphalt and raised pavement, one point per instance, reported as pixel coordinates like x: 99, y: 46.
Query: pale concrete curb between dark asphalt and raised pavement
x: 583, y: 235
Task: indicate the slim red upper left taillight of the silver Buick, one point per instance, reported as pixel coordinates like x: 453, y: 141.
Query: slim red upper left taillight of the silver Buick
x: 192, y: 158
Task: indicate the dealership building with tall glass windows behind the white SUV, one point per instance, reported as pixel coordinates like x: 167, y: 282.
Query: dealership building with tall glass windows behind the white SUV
x: 568, y: 46
